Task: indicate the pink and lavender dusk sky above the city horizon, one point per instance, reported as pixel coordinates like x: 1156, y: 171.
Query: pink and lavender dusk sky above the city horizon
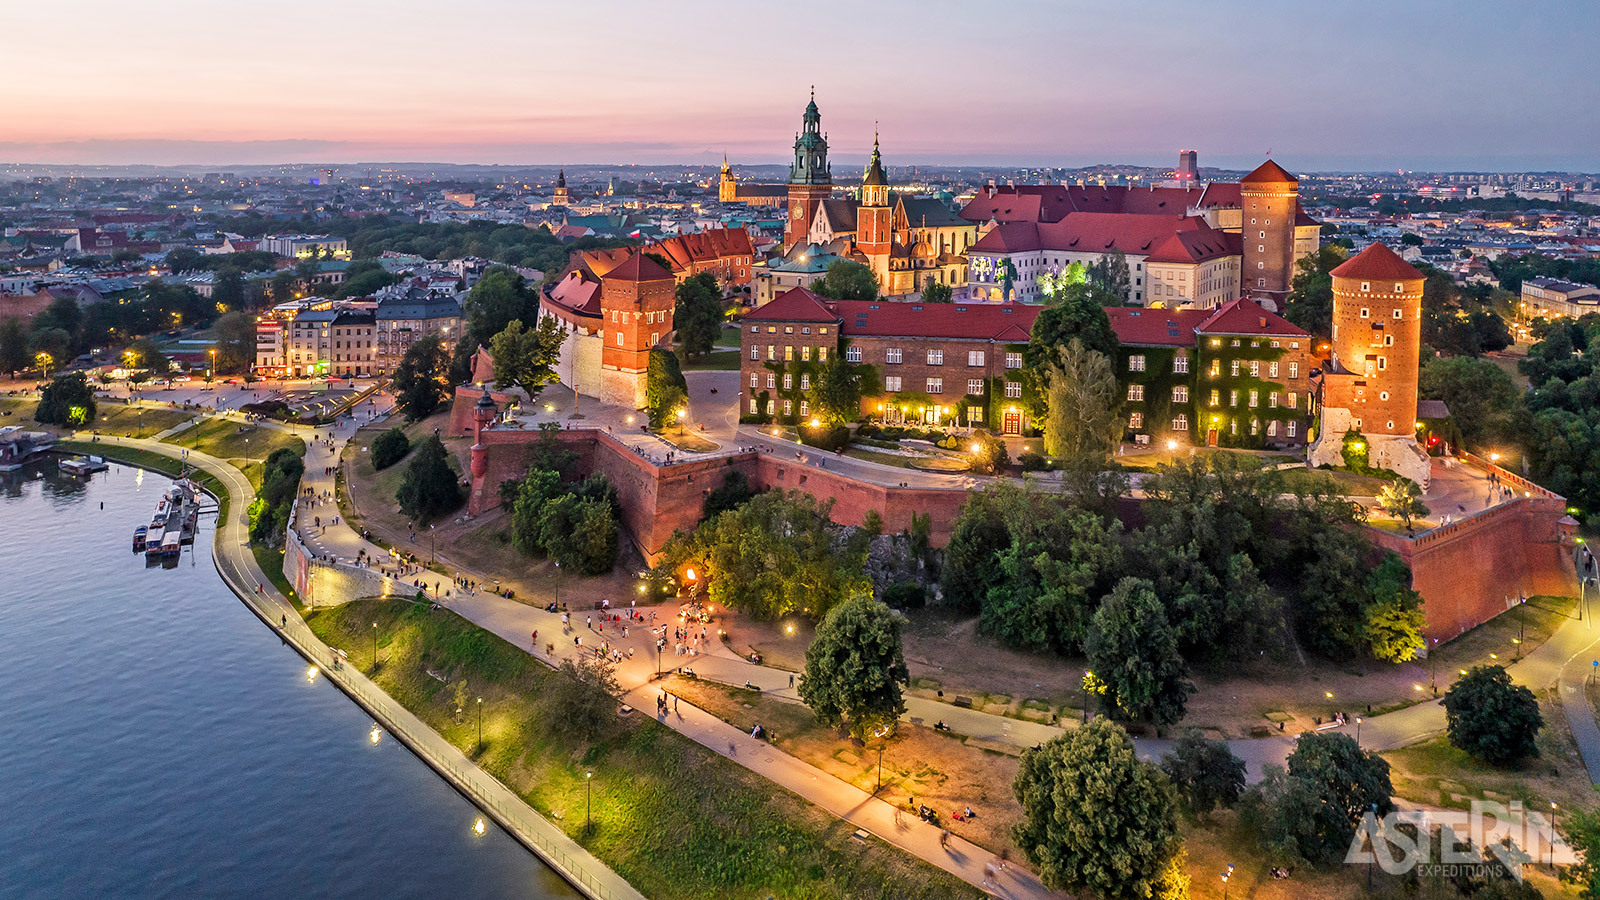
x: 1324, y: 90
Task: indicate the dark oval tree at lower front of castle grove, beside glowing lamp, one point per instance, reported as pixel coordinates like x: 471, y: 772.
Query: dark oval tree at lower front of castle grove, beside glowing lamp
x: 1135, y: 651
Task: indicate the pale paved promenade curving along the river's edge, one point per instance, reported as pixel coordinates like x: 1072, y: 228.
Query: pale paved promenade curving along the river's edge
x: 239, y: 569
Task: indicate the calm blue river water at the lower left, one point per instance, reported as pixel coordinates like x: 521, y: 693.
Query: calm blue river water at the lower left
x: 158, y: 741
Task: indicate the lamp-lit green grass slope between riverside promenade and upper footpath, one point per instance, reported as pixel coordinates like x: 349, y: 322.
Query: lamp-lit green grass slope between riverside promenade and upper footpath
x: 670, y: 816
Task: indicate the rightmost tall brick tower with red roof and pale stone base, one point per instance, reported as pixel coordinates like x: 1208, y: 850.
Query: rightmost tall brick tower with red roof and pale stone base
x: 1370, y: 385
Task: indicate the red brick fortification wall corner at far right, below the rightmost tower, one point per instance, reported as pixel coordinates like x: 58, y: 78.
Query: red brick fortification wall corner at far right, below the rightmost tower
x: 1476, y: 569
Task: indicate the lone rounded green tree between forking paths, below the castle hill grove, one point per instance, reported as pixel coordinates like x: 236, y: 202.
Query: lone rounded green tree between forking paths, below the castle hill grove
x: 855, y: 670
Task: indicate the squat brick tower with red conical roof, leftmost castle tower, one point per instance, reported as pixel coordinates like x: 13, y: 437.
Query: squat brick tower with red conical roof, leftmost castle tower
x: 636, y: 315
